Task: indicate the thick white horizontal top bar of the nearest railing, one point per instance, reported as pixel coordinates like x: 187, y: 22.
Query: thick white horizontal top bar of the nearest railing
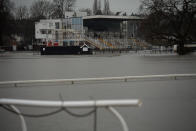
x: 70, y: 104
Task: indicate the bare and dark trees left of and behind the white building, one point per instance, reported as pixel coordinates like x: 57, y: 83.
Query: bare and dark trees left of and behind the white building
x: 20, y: 21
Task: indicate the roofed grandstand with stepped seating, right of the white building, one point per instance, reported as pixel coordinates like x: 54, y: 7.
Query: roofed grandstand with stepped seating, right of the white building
x: 113, y: 32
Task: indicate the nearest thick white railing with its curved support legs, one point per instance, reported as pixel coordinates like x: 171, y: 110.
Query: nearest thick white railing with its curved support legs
x: 108, y: 104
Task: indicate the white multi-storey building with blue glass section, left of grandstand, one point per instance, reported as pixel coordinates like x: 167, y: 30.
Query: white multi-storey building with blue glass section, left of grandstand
x: 59, y: 32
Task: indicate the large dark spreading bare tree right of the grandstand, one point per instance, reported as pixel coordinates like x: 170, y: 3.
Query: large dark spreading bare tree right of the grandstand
x: 169, y: 20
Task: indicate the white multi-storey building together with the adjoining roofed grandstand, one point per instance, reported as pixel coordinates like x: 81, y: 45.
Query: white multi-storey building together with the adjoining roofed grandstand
x: 98, y: 31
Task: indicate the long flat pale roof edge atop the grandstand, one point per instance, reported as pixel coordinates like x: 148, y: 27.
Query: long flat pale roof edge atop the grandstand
x: 112, y: 17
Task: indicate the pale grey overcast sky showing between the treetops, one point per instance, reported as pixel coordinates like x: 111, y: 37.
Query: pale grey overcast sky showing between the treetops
x: 115, y: 5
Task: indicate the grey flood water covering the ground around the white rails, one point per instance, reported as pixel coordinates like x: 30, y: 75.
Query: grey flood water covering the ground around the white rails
x: 168, y: 105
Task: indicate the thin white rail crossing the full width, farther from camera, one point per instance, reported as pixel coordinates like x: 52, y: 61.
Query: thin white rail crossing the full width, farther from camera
x: 122, y: 78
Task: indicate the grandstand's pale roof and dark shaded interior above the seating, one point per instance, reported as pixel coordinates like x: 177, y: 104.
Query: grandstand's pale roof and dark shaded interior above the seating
x: 124, y: 26
